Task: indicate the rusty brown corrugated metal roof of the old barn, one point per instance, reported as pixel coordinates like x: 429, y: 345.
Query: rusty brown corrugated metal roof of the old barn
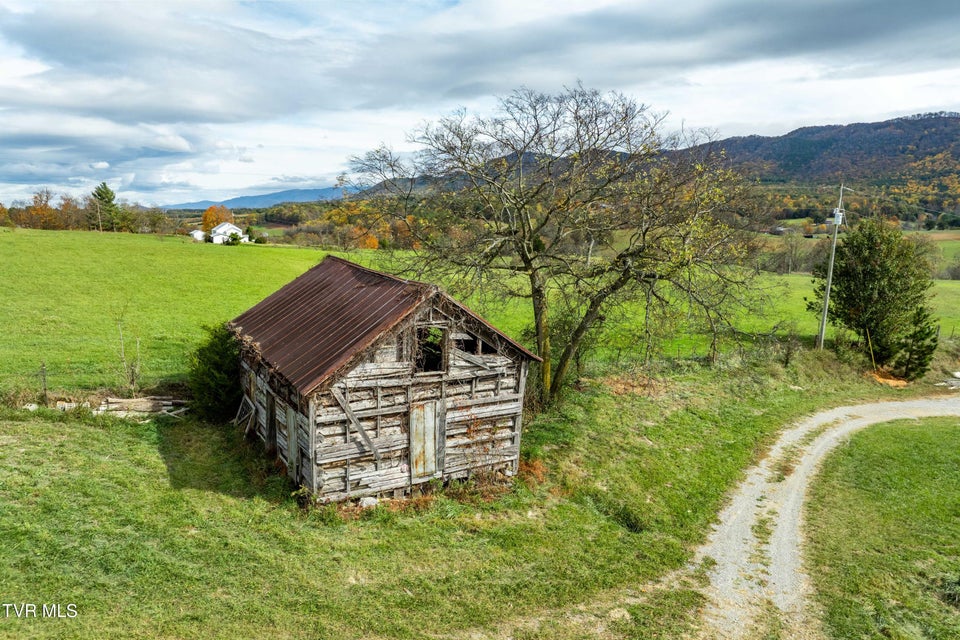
x: 312, y: 327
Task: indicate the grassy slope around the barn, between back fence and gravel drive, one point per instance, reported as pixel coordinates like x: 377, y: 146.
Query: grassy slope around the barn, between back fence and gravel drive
x: 181, y: 529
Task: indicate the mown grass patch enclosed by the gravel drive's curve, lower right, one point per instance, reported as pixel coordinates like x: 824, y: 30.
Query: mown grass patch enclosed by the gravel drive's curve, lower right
x: 885, y: 533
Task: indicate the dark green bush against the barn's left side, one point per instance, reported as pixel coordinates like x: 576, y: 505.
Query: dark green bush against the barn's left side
x: 214, y: 375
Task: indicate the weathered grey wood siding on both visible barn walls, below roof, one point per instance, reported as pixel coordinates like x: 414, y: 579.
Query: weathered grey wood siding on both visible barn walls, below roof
x: 354, y: 437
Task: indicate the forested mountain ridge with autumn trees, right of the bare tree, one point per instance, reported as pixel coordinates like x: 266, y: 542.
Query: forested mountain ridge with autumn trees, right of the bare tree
x: 903, y: 167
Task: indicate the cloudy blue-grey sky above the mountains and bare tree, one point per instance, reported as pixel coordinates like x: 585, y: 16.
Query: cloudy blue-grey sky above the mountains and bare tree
x: 170, y: 101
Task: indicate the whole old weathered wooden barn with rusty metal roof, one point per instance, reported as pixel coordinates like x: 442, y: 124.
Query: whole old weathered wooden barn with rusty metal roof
x: 365, y: 384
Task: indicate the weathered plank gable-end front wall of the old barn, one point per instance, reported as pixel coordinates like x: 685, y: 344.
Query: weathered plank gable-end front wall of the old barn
x: 479, y: 405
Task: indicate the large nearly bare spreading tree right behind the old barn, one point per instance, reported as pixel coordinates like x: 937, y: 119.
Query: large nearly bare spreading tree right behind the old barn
x: 577, y: 202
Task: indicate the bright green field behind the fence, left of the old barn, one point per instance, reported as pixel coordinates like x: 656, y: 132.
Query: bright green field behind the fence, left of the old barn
x: 68, y: 291
